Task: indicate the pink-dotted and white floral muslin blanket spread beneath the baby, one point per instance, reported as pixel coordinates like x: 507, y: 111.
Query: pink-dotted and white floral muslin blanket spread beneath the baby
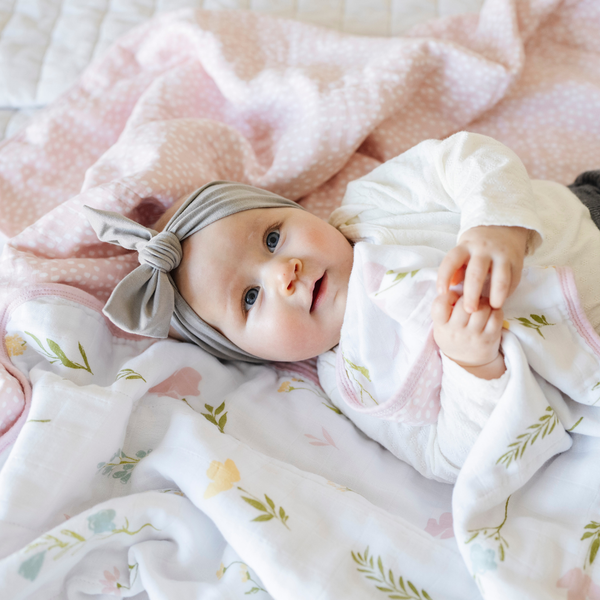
x: 129, y: 467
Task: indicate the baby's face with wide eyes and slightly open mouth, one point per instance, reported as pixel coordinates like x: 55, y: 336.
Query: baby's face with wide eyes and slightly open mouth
x: 274, y: 281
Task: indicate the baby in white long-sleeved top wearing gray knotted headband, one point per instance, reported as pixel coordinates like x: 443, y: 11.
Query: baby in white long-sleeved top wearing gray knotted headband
x: 247, y: 275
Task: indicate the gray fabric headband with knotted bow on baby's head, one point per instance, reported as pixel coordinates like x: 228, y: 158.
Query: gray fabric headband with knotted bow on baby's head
x: 147, y: 301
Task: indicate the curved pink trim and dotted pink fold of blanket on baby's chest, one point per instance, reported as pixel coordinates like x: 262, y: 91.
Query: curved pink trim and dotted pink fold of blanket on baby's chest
x: 397, y: 407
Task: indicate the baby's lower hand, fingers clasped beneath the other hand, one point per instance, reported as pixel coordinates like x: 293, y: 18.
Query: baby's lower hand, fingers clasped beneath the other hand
x: 470, y: 340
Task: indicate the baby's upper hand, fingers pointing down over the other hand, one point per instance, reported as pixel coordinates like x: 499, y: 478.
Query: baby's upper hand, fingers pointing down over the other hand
x: 481, y: 250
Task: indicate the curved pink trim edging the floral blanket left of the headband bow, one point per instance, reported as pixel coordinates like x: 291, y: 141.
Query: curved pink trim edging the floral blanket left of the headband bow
x: 25, y: 295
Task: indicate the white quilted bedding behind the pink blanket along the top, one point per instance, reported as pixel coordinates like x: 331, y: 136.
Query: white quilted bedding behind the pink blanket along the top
x: 45, y: 44
